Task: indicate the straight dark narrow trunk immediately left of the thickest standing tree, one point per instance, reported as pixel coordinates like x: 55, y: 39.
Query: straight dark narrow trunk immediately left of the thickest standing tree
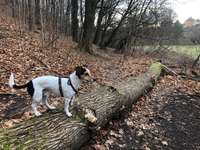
x: 74, y: 20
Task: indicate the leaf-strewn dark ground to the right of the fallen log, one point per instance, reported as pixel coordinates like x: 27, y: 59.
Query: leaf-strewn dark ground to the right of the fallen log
x: 166, y: 118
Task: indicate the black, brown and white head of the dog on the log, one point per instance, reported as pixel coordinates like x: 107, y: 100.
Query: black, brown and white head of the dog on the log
x: 83, y: 72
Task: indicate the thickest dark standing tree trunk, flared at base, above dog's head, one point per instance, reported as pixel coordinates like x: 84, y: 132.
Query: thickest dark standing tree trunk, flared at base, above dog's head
x: 86, y: 41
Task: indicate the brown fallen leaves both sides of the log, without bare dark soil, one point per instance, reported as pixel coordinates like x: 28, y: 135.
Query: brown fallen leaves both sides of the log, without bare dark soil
x: 23, y: 55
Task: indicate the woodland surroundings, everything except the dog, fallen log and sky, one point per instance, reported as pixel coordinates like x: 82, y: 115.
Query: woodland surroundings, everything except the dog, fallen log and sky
x: 117, y: 39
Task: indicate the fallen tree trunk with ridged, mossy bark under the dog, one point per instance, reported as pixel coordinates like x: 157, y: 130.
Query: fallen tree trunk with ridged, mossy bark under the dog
x: 93, y: 110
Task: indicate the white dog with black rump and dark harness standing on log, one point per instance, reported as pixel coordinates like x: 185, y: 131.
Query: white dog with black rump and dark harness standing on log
x: 65, y: 87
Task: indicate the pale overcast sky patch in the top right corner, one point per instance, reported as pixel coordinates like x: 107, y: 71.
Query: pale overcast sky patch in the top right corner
x: 186, y: 9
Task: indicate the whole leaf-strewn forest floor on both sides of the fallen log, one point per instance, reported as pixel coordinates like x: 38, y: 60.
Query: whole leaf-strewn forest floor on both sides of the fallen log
x: 166, y: 118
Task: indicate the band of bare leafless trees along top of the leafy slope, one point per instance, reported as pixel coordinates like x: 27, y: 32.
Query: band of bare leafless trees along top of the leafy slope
x: 121, y: 24
